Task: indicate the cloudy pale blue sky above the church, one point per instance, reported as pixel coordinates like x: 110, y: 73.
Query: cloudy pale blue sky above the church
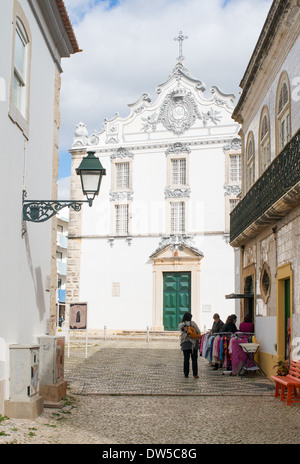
x: 128, y: 49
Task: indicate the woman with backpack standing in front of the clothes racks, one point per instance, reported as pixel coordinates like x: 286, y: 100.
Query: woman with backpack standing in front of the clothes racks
x: 189, y: 342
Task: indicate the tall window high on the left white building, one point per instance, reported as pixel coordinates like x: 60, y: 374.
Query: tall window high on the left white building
x: 20, y: 68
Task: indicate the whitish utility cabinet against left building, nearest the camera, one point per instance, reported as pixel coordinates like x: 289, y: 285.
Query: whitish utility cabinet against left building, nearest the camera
x: 24, y: 372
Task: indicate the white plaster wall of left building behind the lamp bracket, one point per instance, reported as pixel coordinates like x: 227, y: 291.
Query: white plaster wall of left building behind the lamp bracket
x: 24, y: 299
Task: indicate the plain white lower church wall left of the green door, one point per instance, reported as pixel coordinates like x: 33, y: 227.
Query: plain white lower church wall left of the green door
x: 130, y: 267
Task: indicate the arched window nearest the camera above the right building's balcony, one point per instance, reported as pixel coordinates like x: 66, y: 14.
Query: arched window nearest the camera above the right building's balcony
x: 283, y: 112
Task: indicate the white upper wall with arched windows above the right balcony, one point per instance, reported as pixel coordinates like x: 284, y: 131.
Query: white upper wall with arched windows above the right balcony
x: 275, y: 122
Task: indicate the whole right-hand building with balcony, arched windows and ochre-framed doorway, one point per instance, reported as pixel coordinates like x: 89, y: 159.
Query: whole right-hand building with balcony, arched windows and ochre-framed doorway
x: 265, y: 224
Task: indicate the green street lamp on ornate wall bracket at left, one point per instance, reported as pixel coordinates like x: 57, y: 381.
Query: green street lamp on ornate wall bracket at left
x: 90, y: 171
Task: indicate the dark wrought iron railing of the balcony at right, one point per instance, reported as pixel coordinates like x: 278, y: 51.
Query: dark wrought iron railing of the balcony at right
x: 281, y: 176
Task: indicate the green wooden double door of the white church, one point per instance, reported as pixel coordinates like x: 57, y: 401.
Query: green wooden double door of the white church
x: 176, y: 298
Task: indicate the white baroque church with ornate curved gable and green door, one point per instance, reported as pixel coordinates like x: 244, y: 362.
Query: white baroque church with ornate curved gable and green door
x: 156, y: 241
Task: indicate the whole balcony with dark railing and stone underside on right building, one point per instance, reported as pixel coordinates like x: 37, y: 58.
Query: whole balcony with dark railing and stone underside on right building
x: 272, y: 196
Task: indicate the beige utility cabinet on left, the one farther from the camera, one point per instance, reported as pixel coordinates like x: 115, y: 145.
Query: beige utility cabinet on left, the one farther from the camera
x: 52, y: 351
